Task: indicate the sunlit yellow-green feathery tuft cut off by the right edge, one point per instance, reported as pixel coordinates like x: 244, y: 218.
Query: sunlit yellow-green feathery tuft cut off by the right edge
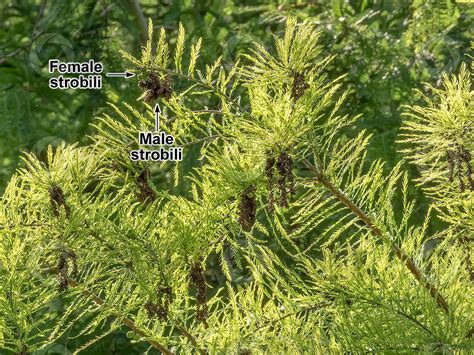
x: 439, y: 137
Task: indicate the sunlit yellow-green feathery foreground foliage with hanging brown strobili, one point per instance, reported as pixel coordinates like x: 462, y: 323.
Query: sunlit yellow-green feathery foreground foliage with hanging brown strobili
x: 286, y: 235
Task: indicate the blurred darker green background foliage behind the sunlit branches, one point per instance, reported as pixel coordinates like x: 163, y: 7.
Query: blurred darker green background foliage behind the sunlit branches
x: 385, y: 49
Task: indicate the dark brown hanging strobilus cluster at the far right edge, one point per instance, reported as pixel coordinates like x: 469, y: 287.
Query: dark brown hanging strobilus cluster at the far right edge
x: 458, y: 157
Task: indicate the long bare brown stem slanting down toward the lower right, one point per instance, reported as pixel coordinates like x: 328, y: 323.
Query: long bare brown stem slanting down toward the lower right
x: 440, y: 300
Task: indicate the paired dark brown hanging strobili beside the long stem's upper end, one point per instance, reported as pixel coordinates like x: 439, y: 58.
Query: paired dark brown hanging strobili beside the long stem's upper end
x: 286, y: 182
